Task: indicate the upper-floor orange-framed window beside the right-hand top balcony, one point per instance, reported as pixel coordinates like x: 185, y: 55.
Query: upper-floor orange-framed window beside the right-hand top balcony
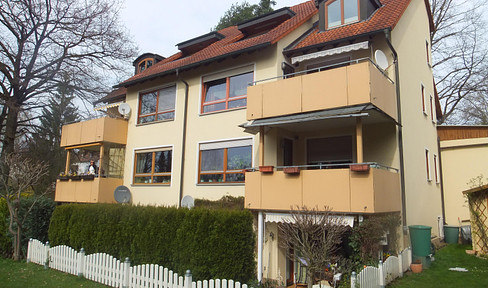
x: 226, y: 93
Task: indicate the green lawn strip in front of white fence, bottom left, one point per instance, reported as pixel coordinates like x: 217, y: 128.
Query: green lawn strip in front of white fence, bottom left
x: 20, y: 274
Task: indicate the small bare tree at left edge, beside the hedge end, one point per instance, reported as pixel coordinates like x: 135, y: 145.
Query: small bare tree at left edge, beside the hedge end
x: 17, y: 176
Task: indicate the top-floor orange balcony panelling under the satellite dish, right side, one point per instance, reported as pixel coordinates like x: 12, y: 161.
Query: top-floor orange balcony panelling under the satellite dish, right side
x: 356, y: 84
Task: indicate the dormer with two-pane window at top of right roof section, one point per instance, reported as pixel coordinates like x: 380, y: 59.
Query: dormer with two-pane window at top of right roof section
x: 335, y: 13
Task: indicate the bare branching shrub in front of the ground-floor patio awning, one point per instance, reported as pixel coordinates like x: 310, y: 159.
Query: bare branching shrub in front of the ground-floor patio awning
x: 315, y: 236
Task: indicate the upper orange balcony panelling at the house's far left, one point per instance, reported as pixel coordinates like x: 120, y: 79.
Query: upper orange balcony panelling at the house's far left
x: 92, y: 131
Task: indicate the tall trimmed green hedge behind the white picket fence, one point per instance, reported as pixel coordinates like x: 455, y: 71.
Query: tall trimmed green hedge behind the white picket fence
x: 211, y: 243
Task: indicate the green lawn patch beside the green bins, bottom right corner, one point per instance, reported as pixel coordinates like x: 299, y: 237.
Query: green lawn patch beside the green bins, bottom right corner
x: 438, y: 275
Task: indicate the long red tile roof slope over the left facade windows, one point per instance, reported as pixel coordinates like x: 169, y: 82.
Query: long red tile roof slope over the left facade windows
x: 230, y: 45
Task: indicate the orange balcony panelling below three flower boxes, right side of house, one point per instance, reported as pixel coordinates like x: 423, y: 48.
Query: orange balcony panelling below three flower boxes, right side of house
x: 372, y: 190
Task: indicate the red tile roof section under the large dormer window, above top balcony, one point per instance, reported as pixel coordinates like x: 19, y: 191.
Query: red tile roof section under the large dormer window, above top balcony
x: 387, y: 16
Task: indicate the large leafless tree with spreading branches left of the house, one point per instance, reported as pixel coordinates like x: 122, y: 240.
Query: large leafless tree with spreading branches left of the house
x: 42, y: 41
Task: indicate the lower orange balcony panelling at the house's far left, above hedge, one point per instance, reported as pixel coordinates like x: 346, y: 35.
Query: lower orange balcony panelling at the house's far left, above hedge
x: 98, y: 190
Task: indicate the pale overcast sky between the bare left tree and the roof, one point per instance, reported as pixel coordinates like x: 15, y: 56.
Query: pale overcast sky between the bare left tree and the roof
x: 158, y: 25
